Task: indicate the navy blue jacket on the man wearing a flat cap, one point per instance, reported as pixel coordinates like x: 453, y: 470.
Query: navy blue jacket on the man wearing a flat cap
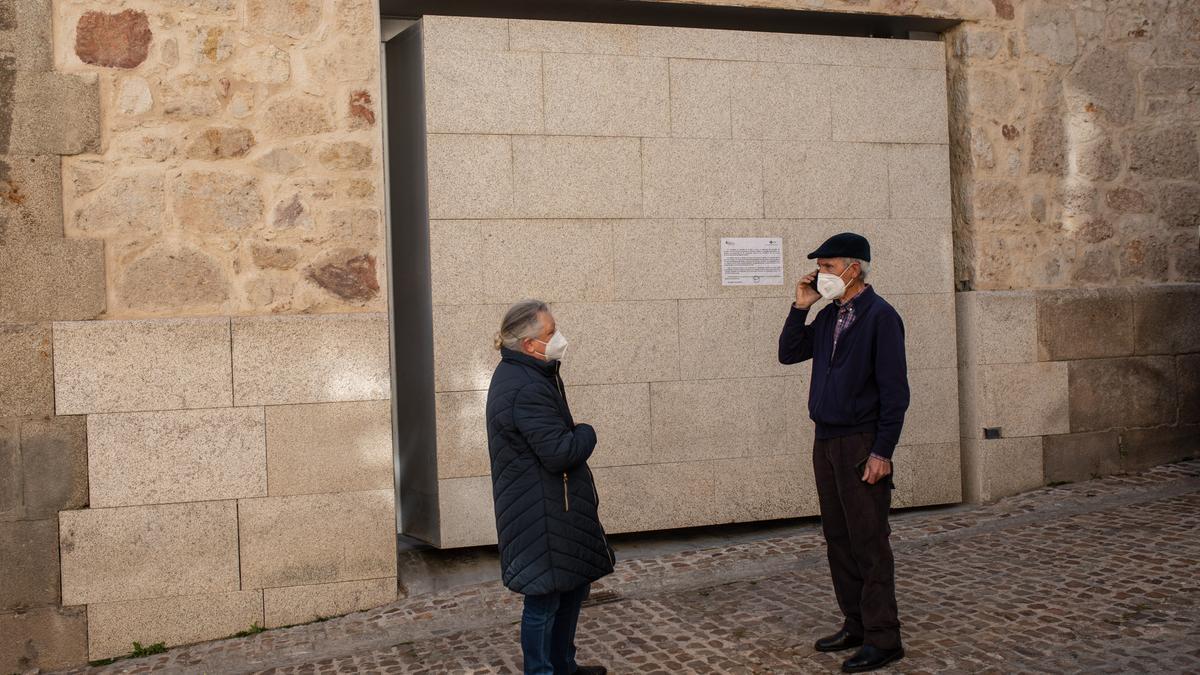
x: 863, y: 387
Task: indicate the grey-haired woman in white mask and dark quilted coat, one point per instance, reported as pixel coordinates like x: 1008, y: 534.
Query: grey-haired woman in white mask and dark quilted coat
x: 553, y: 546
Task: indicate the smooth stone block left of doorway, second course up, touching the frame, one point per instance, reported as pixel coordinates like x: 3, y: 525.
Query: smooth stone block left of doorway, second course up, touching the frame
x: 317, y: 539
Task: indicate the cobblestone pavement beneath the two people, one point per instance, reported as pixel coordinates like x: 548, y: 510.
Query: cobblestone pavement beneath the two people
x: 1097, y: 577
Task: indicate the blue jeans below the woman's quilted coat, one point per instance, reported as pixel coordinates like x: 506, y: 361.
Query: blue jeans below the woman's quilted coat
x: 548, y: 632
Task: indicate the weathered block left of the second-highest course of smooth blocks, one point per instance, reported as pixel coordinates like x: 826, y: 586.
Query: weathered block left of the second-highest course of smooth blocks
x: 55, y: 455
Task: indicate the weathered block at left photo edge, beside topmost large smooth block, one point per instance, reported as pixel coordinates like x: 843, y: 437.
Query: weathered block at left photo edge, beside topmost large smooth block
x: 27, y: 381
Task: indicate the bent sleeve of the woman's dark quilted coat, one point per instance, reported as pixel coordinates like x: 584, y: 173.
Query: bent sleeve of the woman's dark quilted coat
x: 557, y: 446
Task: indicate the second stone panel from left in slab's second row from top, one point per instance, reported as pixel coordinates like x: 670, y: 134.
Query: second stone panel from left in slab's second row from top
x: 602, y: 95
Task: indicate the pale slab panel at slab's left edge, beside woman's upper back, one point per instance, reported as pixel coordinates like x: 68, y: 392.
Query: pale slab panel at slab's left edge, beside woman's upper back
x: 463, y: 435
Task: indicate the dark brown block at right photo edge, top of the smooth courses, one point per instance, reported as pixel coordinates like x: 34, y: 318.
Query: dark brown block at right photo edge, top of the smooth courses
x: 1167, y: 319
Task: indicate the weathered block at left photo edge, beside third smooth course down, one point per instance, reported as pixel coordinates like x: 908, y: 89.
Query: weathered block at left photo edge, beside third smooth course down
x: 29, y: 561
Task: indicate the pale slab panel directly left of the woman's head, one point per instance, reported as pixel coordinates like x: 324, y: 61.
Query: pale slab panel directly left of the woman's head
x: 464, y: 347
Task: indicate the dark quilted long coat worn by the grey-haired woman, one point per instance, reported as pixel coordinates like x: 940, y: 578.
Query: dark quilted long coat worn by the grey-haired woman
x: 550, y: 535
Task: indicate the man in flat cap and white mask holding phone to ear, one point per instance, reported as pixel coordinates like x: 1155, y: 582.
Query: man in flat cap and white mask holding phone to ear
x: 859, y: 398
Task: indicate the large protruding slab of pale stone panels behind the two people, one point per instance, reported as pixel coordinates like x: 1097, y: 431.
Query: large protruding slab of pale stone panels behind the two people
x: 598, y: 168
